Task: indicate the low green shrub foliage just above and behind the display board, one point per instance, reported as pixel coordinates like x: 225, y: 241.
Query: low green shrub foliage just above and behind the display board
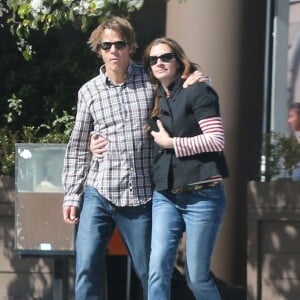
x: 58, y: 131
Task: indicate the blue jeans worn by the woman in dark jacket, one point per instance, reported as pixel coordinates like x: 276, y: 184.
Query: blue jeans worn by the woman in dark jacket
x: 199, y: 214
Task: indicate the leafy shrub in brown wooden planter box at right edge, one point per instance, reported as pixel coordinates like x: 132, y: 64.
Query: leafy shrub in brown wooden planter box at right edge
x: 273, y: 205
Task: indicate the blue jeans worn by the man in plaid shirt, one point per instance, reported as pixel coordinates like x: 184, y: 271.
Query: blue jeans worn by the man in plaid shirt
x: 98, y: 219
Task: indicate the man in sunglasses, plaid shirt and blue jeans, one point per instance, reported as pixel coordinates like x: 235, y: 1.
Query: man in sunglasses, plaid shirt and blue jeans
x: 117, y: 187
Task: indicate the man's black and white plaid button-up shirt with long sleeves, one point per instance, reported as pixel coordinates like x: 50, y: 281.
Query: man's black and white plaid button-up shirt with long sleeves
x: 120, y: 113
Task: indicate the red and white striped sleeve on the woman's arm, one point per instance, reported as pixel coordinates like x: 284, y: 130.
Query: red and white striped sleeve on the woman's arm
x: 211, y: 140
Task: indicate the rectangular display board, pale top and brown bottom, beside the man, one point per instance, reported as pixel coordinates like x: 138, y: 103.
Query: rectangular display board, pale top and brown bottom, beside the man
x: 39, y: 226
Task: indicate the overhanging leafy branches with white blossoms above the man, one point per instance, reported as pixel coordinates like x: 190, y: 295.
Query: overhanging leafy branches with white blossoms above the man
x: 26, y: 16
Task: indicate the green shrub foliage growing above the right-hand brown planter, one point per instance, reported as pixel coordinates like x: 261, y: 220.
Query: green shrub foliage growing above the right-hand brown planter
x: 280, y: 154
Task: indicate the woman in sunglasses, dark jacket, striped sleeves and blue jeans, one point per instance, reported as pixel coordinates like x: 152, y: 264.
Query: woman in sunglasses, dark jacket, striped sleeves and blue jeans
x: 188, y: 168
